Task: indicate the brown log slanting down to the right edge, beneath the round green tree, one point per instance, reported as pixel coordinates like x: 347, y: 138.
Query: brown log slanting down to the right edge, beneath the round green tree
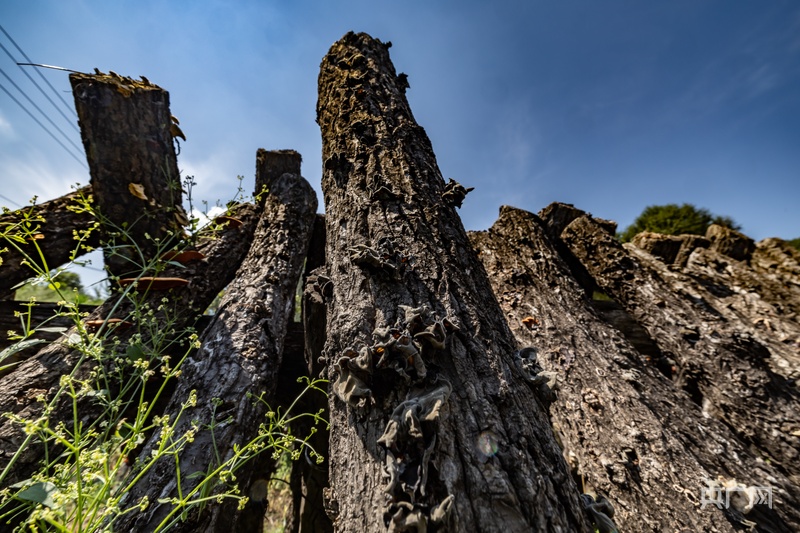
x: 710, y: 353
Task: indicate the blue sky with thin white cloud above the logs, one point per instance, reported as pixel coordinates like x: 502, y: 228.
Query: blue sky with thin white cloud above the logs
x: 610, y: 105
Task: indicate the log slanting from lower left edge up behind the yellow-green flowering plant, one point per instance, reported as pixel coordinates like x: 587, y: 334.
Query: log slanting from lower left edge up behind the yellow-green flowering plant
x: 41, y: 373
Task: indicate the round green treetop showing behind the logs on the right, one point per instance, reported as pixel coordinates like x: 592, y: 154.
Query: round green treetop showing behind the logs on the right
x: 674, y: 219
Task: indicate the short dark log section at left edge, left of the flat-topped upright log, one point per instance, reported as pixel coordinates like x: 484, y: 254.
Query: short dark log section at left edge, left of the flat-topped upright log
x: 54, y: 226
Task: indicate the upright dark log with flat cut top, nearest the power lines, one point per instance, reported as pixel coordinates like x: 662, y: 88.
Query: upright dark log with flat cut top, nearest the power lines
x: 128, y: 135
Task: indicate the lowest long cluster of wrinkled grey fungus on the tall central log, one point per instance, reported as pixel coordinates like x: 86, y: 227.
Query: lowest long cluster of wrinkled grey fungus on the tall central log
x: 409, y: 439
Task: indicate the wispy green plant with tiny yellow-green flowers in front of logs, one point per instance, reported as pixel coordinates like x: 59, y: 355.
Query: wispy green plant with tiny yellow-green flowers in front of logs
x: 87, y: 472
